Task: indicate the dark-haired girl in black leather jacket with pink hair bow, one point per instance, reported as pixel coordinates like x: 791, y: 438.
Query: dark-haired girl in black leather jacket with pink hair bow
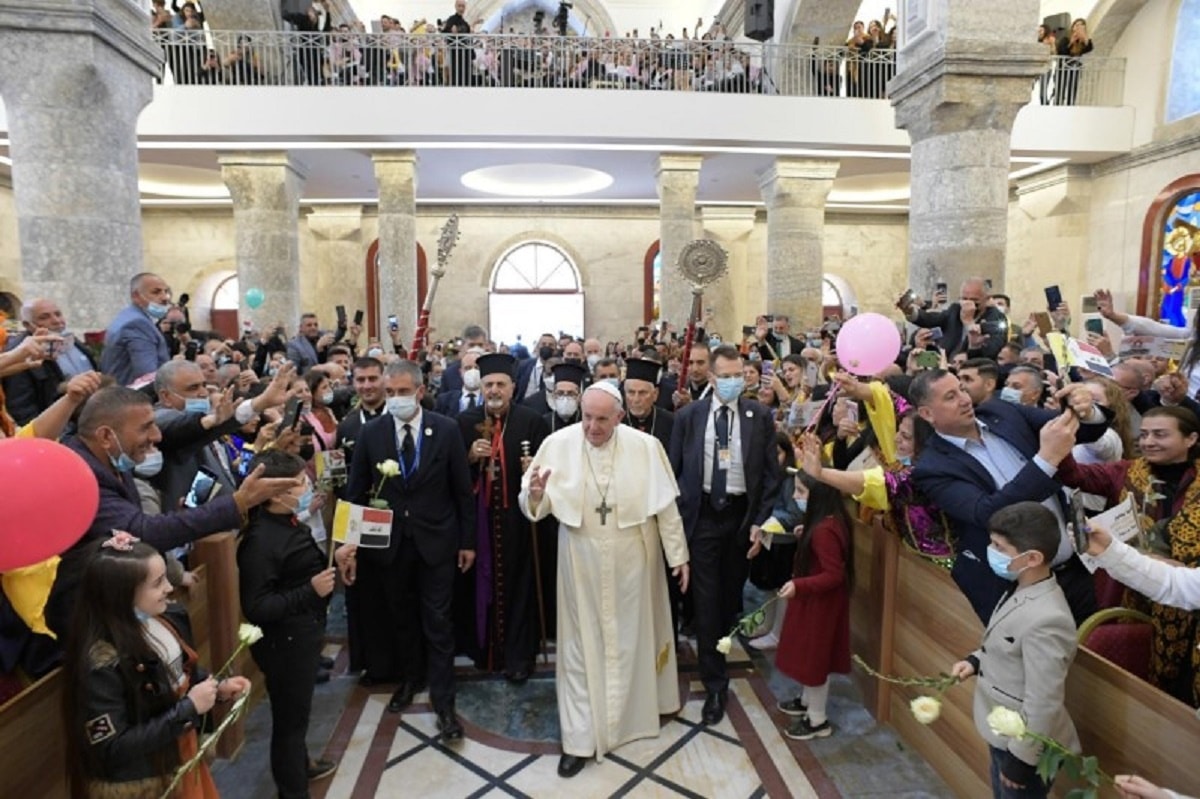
x: 134, y: 693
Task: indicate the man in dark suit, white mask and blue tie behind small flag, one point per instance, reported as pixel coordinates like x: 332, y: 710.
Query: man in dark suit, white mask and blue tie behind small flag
x: 433, y: 533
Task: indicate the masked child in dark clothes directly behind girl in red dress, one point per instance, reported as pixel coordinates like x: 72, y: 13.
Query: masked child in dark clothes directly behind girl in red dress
x: 770, y: 570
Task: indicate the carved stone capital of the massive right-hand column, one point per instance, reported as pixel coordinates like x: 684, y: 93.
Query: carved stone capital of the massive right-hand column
x: 965, y: 86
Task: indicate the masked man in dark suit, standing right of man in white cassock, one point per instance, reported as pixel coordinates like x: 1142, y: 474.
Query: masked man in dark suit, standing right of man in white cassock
x: 723, y: 453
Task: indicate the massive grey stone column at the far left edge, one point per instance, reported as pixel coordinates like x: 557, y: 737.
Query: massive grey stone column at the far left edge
x: 75, y: 75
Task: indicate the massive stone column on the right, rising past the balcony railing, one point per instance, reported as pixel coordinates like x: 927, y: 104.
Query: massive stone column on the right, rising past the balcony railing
x: 961, y: 85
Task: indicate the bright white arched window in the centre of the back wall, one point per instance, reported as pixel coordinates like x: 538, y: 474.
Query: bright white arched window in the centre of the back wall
x: 536, y: 289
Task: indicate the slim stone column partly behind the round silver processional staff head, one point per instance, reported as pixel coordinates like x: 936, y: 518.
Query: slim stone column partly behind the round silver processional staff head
x: 679, y: 178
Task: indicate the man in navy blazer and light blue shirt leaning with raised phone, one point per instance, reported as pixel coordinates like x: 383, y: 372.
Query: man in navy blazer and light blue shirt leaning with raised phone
x: 981, y: 460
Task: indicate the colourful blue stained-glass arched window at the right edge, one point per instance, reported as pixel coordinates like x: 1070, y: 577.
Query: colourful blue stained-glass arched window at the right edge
x: 1172, y: 254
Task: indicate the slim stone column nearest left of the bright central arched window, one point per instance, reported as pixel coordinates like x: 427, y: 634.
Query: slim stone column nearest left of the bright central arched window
x: 397, y: 177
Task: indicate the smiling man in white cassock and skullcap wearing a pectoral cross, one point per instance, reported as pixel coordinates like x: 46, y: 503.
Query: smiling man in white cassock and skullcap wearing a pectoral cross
x: 614, y: 492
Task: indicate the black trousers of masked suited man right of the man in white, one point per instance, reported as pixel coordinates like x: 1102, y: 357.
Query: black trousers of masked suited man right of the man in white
x: 719, y: 570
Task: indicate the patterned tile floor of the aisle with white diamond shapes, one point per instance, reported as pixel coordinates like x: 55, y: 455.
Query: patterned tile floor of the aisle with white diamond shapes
x: 512, y: 750
